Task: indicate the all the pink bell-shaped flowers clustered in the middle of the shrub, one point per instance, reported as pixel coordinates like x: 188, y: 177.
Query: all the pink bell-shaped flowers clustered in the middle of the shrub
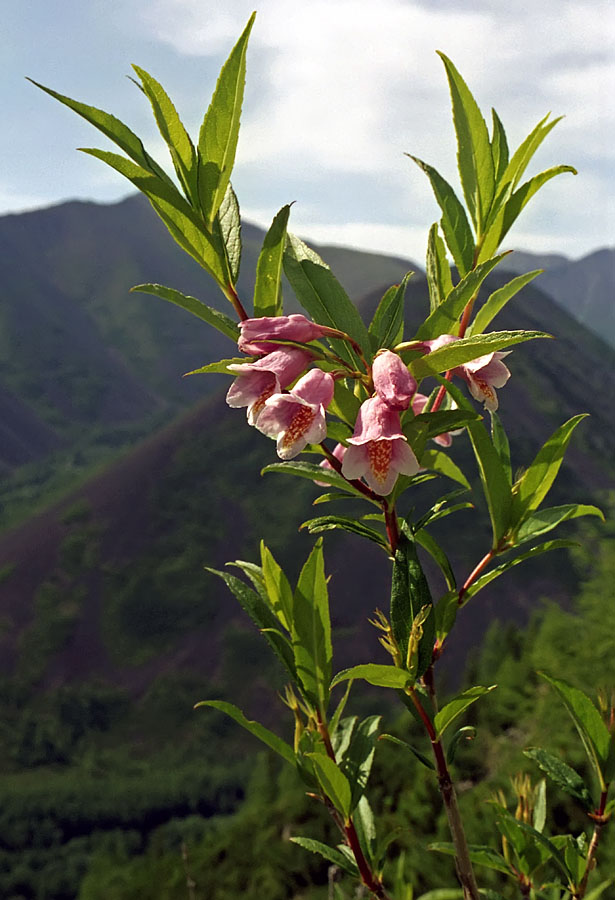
x: 378, y: 451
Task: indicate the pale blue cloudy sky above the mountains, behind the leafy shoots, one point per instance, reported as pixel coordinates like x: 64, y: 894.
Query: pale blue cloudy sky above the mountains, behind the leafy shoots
x: 337, y: 92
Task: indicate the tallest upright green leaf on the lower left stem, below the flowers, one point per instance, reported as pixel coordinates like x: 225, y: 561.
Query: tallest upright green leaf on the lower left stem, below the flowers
x: 311, y: 629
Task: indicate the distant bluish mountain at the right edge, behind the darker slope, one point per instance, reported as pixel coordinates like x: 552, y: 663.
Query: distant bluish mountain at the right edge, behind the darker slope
x: 584, y: 287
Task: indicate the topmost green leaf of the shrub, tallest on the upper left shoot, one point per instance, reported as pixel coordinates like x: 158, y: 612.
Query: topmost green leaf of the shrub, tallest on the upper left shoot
x: 220, y: 129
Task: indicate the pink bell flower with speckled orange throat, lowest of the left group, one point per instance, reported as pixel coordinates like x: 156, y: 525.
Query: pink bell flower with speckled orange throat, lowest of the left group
x: 298, y: 418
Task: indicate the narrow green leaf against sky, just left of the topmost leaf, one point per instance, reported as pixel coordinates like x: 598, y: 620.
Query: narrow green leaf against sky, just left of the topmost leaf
x: 175, y: 135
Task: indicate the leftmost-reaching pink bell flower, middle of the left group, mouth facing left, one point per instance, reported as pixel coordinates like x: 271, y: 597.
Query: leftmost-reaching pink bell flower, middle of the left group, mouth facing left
x: 259, y: 380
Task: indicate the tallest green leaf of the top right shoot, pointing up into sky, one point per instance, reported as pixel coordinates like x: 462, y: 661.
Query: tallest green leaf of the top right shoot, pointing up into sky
x: 473, y: 148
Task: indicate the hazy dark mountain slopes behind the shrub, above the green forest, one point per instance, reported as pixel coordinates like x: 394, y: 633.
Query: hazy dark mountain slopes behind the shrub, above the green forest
x: 87, y: 370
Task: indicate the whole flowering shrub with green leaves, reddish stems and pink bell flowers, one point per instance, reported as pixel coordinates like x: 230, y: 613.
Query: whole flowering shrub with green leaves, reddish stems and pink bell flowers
x: 326, y: 383
